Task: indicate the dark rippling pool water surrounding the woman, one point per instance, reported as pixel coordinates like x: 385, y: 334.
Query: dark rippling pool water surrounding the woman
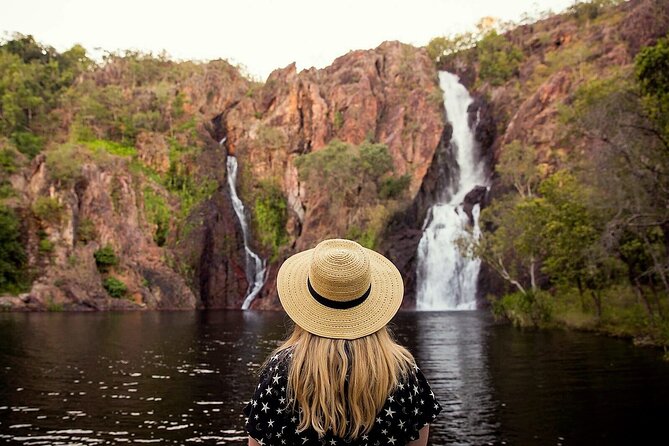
x: 184, y: 377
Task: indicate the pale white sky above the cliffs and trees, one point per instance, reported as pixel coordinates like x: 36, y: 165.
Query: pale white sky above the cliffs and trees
x: 260, y: 34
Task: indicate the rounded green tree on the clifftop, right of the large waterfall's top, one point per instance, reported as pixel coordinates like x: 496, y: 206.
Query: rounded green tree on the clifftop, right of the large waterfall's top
x: 499, y: 59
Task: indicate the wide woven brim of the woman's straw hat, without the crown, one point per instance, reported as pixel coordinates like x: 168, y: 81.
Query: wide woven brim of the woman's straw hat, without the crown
x: 371, y: 315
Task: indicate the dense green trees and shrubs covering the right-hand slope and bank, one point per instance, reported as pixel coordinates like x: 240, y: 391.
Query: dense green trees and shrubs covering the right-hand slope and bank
x: 582, y: 239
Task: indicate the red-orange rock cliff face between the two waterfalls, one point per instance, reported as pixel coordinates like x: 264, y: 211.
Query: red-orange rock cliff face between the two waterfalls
x: 388, y: 95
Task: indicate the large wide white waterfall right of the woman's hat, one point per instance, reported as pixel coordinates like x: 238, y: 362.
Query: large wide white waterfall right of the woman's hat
x: 445, y: 279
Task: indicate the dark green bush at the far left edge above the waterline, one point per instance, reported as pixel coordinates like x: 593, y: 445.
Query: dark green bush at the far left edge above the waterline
x: 12, y: 253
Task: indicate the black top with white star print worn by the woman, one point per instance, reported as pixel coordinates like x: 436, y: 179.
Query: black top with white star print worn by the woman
x: 271, y: 421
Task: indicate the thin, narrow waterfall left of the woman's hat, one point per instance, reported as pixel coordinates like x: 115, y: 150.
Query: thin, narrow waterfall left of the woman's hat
x: 256, y: 270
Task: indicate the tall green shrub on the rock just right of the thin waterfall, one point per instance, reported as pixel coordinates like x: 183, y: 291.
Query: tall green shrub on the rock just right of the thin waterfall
x: 270, y: 216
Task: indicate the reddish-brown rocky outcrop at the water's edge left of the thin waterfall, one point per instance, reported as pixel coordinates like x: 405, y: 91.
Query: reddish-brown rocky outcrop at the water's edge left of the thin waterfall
x: 99, y: 206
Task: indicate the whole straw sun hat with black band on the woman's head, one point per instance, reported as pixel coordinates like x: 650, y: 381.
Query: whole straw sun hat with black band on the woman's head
x: 340, y: 289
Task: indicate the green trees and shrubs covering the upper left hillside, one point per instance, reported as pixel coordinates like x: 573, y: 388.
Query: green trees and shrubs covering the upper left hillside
x: 75, y: 111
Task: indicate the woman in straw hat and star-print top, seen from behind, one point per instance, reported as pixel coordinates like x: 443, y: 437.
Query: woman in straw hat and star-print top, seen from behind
x: 340, y: 378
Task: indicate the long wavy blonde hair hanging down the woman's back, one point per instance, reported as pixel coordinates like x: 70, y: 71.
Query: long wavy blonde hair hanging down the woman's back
x: 340, y: 385
